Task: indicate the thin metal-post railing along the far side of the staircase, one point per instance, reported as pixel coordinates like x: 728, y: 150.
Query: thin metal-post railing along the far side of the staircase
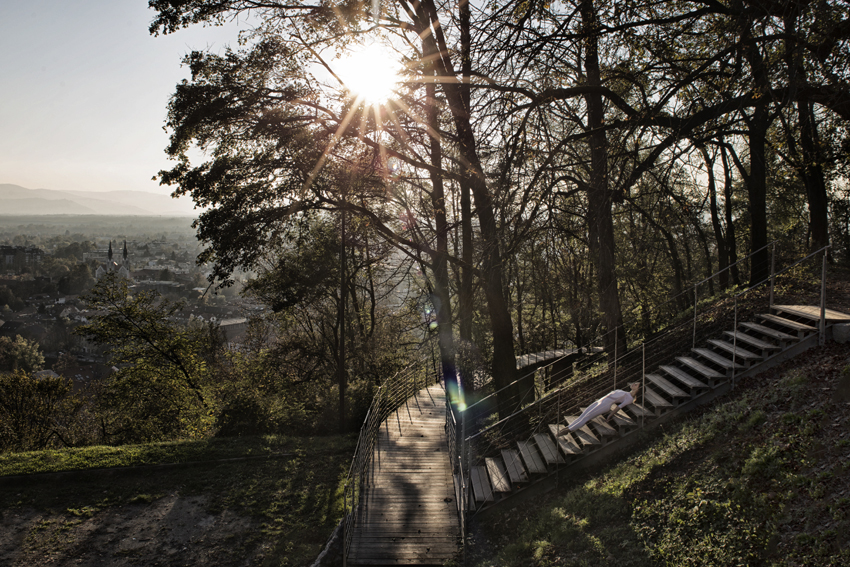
x: 801, y: 282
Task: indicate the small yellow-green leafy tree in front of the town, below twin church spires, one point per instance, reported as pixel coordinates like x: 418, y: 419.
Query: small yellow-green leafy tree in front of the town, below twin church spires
x: 161, y: 388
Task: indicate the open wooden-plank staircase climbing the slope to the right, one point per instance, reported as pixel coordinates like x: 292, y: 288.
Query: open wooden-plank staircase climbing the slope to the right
x: 530, y: 464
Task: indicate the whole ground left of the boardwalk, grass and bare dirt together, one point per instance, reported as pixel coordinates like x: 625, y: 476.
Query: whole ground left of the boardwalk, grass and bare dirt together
x: 219, y: 502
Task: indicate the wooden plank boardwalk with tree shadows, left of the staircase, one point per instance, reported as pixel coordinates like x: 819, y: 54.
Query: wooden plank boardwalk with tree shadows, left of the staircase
x: 408, y: 515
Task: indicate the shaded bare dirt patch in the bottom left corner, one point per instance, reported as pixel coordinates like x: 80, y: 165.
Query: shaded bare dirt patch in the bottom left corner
x: 168, y: 531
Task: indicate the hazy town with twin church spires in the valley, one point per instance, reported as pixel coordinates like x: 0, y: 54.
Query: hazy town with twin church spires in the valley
x: 49, y: 263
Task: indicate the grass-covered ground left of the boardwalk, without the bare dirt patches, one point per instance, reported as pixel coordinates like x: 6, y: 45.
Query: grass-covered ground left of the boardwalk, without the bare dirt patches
x: 293, y: 500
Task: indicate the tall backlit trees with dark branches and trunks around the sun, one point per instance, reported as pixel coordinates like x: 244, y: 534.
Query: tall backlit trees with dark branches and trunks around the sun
x: 581, y: 138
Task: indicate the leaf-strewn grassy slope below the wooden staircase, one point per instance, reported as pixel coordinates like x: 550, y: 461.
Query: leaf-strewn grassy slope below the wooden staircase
x: 760, y: 478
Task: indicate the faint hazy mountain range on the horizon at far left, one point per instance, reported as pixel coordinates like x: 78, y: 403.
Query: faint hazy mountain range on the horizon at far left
x: 17, y: 200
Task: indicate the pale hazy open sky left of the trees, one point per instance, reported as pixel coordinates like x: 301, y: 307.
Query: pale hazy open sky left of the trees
x: 83, y: 92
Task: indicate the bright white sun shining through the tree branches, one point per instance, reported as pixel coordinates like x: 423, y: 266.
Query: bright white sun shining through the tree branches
x: 369, y: 73
